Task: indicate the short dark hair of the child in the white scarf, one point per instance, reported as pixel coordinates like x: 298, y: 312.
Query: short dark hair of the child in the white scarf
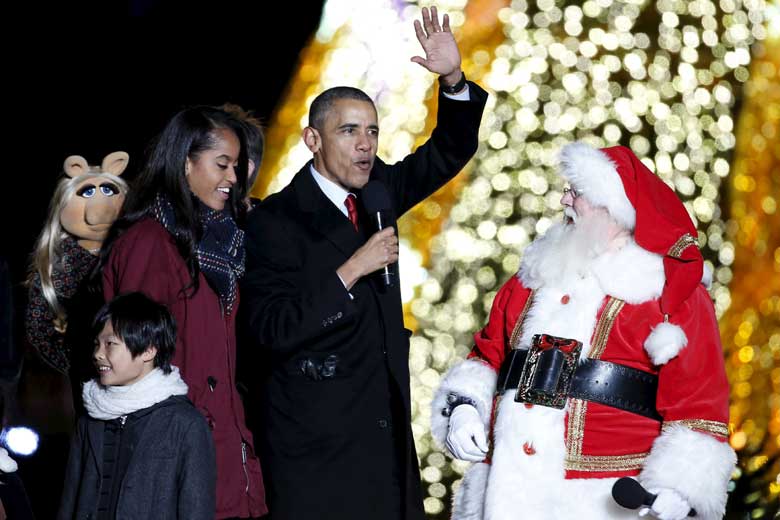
x: 140, y: 322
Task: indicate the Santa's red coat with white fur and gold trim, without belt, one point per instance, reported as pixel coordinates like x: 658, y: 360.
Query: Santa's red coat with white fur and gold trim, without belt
x: 548, y: 463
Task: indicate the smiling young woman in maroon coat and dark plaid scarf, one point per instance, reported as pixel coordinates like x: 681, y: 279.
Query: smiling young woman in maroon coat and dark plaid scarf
x: 177, y: 240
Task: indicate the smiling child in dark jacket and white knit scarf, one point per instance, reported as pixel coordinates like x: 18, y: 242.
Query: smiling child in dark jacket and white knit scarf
x: 143, y: 451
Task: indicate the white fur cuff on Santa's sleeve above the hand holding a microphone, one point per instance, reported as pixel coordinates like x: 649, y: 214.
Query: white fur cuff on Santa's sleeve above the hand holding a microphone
x: 695, y: 465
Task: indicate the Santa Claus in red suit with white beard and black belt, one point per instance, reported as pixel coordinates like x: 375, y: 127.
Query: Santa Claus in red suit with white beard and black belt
x: 601, y: 359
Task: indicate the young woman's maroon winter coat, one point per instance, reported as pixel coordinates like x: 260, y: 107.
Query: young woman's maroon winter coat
x: 145, y: 259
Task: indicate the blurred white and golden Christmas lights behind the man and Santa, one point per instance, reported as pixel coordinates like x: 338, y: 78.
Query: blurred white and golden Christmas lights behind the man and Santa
x: 663, y: 77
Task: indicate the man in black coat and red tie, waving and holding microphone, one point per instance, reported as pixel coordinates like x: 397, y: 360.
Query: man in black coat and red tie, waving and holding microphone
x: 336, y: 435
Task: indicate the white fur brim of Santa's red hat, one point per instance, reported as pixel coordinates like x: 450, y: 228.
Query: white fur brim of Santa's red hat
x: 593, y: 173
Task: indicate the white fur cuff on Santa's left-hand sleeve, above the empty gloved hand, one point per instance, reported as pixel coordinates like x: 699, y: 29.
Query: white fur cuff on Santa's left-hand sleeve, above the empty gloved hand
x: 471, y: 378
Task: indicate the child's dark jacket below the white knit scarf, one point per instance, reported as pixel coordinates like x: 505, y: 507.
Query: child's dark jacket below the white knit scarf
x: 171, y: 473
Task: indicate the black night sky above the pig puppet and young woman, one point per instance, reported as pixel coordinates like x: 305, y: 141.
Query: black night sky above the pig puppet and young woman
x: 91, y: 90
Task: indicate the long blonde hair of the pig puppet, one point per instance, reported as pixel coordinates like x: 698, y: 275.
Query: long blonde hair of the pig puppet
x: 48, y: 248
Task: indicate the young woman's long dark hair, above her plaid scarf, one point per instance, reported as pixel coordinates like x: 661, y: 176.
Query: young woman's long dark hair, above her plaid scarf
x: 186, y: 136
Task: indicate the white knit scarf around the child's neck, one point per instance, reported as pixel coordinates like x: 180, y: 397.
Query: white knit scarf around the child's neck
x: 110, y: 402
